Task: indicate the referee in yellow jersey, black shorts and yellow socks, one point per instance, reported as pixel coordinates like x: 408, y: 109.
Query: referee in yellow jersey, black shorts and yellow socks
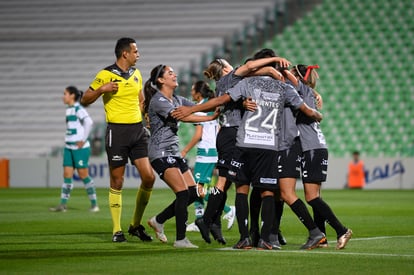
x: 120, y: 86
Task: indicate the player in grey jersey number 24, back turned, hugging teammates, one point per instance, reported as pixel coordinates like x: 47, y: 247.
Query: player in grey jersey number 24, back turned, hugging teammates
x: 258, y: 139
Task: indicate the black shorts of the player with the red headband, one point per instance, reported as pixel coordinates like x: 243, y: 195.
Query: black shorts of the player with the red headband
x: 315, y: 166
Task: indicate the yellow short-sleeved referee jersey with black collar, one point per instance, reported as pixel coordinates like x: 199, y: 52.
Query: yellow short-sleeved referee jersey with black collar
x: 121, y: 106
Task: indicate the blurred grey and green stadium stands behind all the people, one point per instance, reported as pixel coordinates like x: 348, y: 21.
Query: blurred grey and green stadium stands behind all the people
x: 364, y: 49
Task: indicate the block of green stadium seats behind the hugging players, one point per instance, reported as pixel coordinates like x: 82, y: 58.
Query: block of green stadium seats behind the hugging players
x: 365, y: 52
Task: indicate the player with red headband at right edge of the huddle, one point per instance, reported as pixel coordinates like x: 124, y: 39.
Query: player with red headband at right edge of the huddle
x: 315, y: 158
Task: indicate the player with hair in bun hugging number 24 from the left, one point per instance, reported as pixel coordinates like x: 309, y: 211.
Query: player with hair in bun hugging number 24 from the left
x: 230, y: 117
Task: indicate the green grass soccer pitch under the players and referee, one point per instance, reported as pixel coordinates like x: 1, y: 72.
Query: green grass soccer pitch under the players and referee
x: 36, y: 241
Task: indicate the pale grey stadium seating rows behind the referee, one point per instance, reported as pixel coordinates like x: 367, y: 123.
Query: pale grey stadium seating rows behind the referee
x: 47, y: 45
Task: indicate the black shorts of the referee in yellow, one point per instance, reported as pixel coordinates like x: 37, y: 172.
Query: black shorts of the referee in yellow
x: 125, y: 141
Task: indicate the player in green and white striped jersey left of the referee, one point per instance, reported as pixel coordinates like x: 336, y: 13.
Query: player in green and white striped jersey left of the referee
x: 77, y: 149
